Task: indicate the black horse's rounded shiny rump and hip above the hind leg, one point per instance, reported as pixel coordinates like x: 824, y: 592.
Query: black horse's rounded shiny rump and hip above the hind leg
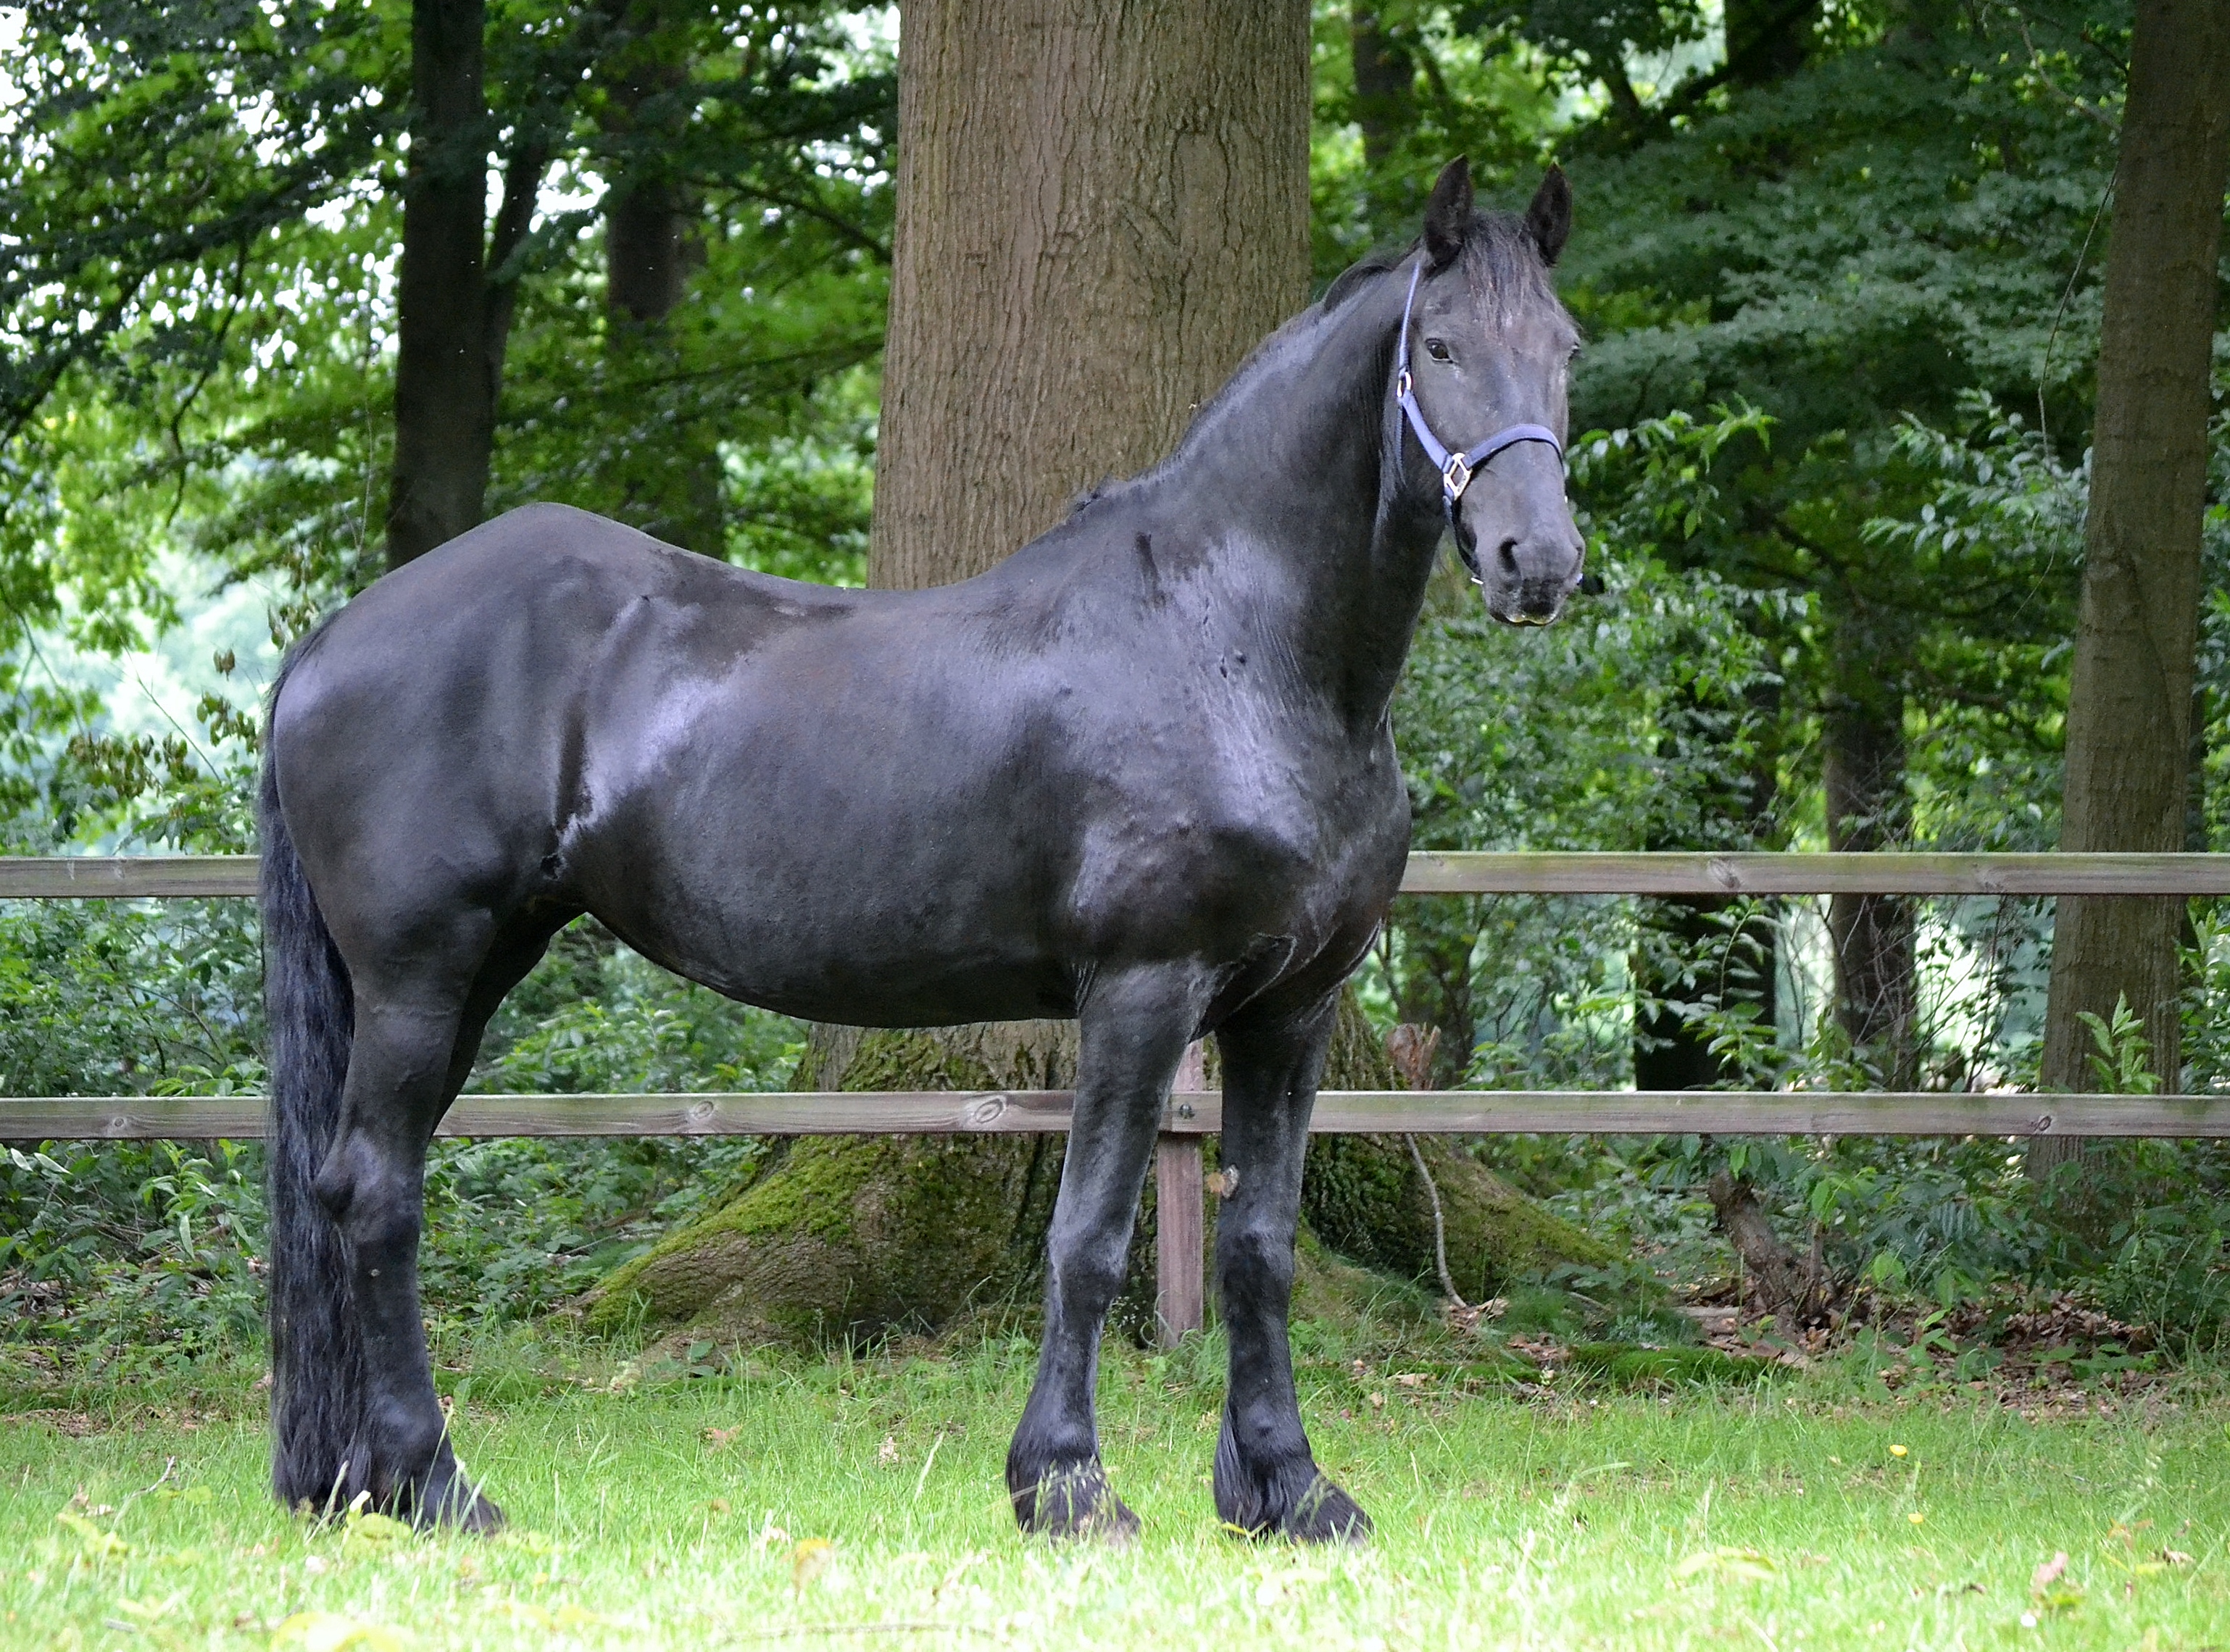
x: 432, y: 737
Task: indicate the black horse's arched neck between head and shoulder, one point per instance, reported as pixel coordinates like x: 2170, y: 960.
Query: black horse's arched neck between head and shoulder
x: 1290, y: 460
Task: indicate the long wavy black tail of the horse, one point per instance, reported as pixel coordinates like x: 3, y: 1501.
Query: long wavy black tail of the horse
x: 318, y: 1348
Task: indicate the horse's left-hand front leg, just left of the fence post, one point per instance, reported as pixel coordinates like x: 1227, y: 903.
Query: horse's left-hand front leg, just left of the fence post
x: 1134, y: 1033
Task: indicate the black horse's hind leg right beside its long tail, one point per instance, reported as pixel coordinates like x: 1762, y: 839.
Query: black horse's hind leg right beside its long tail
x: 414, y: 1049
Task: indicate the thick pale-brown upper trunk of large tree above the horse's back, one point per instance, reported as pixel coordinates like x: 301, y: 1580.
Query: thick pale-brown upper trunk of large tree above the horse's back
x: 1101, y: 211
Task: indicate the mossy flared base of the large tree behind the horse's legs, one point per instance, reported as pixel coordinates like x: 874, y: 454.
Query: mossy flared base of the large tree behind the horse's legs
x: 855, y: 1236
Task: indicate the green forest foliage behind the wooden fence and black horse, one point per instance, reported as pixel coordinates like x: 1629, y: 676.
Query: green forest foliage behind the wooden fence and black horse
x: 1841, y: 275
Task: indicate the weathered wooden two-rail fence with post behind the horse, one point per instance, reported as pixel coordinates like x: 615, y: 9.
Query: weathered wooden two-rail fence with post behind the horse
x: 1196, y: 1114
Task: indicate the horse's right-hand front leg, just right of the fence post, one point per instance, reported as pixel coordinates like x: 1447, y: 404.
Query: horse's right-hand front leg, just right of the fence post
x: 1266, y: 1475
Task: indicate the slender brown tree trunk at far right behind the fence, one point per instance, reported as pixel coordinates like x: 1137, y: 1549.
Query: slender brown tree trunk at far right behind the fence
x: 2129, y: 715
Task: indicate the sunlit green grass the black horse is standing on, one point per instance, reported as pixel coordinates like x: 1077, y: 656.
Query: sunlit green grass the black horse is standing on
x: 860, y: 1506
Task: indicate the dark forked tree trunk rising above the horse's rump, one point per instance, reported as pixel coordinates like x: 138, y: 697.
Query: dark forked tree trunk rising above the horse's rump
x: 456, y: 286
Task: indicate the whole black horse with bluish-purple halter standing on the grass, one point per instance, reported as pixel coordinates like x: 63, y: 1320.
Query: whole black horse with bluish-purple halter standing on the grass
x: 1138, y: 775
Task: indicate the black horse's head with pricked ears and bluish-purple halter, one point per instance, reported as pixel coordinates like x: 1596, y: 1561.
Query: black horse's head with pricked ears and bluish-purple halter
x: 1489, y: 351
